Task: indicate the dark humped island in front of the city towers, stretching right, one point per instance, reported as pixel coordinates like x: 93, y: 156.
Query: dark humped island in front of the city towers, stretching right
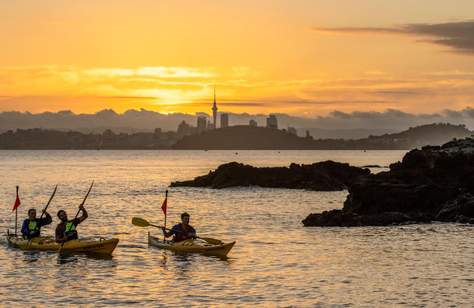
x: 263, y: 138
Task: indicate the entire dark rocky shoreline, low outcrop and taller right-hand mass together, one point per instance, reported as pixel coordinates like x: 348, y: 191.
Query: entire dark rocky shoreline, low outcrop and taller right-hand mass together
x: 434, y: 183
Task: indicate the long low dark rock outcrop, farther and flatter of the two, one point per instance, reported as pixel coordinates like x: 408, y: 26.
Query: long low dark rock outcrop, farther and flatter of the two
x: 322, y: 176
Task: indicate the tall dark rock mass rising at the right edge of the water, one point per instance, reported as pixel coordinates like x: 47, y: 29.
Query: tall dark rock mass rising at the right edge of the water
x: 435, y: 183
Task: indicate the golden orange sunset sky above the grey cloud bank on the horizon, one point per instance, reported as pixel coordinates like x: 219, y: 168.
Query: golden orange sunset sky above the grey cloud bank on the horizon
x: 301, y: 57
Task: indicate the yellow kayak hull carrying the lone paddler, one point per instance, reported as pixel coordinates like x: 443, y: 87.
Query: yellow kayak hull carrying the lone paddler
x: 192, y: 246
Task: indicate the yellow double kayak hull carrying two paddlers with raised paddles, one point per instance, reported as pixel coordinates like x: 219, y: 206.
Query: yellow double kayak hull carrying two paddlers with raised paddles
x: 94, y: 246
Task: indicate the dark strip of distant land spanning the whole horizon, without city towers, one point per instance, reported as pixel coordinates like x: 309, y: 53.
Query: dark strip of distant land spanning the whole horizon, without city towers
x: 240, y: 137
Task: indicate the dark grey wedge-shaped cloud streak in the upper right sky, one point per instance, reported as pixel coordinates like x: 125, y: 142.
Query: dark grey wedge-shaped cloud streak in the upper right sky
x: 456, y: 35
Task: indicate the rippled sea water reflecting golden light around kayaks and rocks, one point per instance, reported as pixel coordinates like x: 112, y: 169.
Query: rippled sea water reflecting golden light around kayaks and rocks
x: 275, y: 262
